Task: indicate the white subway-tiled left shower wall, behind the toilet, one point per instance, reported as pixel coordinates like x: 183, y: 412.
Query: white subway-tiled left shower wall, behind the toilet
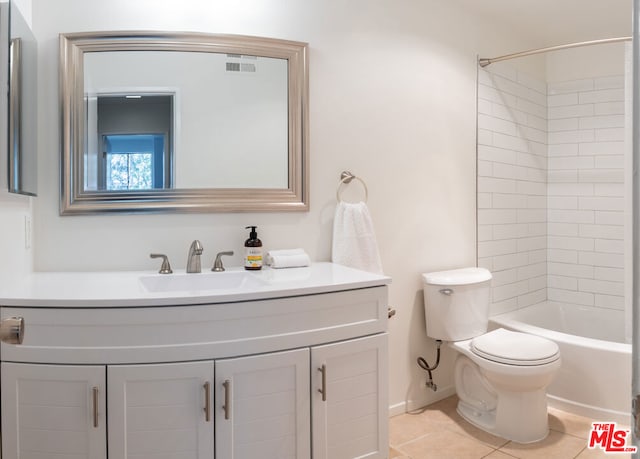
x: 512, y: 185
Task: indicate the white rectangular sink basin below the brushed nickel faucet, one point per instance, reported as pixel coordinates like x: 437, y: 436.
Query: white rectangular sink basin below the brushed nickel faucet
x: 227, y: 280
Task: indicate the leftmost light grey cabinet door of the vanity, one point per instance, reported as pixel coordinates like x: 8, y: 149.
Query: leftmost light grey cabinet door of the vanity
x: 53, y: 411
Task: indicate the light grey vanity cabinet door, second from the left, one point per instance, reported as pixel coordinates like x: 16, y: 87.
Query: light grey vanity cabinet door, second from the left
x: 161, y: 411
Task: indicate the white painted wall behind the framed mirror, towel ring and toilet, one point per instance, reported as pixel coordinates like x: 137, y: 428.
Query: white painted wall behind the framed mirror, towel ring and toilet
x: 392, y: 98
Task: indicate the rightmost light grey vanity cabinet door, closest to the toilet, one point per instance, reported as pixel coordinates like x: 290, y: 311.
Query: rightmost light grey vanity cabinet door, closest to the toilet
x: 349, y: 399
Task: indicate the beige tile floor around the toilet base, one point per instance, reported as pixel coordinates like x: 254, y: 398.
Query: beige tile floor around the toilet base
x: 438, y: 432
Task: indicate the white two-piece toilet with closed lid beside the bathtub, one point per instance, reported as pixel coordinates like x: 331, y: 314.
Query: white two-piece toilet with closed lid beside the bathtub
x: 500, y: 376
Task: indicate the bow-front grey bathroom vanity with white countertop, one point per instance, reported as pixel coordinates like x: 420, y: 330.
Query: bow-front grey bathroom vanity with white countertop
x: 275, y: 364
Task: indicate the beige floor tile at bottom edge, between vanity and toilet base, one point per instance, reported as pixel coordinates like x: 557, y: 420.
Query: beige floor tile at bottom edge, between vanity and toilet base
x: 446, y: 445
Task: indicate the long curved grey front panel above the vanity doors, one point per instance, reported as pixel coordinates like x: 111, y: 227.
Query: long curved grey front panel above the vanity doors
x: 198, y: 332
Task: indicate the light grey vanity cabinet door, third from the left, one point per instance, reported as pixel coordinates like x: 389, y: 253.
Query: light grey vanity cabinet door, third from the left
x: 263, y: 406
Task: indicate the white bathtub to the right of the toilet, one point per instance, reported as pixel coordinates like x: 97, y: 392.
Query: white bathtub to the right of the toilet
x: 595, y: 376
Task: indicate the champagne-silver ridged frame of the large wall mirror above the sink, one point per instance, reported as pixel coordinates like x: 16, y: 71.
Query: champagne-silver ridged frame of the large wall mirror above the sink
x: 74, y: 200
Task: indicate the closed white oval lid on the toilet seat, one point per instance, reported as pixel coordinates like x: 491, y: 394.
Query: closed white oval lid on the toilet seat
x: 514, y: 348
